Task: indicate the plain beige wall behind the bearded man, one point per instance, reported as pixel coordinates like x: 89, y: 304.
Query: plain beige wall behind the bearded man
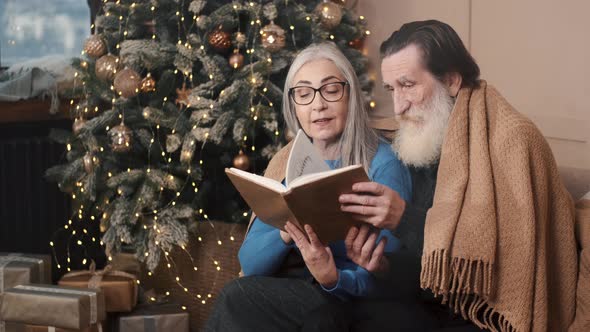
x: 533, y: 51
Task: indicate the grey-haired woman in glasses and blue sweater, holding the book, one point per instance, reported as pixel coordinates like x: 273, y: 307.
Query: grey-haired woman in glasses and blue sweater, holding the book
x: 287, y: 275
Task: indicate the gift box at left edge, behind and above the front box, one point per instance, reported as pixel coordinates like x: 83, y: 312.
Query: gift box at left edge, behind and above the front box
x: 20, y: 269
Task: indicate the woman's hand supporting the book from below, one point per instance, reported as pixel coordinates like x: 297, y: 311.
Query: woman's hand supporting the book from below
x: 318, y: 258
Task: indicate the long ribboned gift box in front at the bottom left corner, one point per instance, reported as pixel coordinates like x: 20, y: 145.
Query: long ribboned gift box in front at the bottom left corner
x: 48, y: 305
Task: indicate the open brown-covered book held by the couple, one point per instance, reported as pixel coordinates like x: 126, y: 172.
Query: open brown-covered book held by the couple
x: 310, y: 196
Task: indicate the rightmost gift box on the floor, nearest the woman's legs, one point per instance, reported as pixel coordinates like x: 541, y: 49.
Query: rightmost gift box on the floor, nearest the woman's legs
x: 154, y: 318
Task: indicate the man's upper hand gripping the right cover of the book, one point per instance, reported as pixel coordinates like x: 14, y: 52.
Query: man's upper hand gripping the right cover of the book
x: 375, y: 204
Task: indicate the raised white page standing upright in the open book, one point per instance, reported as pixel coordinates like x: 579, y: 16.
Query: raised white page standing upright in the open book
x: 303, y: 159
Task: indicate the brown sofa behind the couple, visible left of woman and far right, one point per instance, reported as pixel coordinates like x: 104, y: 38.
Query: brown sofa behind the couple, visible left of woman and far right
x: 209, y: 280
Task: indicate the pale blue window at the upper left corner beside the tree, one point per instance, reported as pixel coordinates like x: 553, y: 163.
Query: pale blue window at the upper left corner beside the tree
x: 35, y: 28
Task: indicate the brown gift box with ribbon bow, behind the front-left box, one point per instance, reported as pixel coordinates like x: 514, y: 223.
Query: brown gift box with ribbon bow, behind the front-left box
x: 120, y: 288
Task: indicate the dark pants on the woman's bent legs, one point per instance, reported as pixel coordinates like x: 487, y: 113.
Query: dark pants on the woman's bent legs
x: 271, y: 304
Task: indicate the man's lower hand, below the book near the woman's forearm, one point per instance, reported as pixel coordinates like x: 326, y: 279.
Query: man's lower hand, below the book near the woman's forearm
x: 363, y: 251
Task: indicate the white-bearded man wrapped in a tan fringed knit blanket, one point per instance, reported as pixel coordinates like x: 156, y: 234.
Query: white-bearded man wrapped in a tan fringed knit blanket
x: 490, y: 228
